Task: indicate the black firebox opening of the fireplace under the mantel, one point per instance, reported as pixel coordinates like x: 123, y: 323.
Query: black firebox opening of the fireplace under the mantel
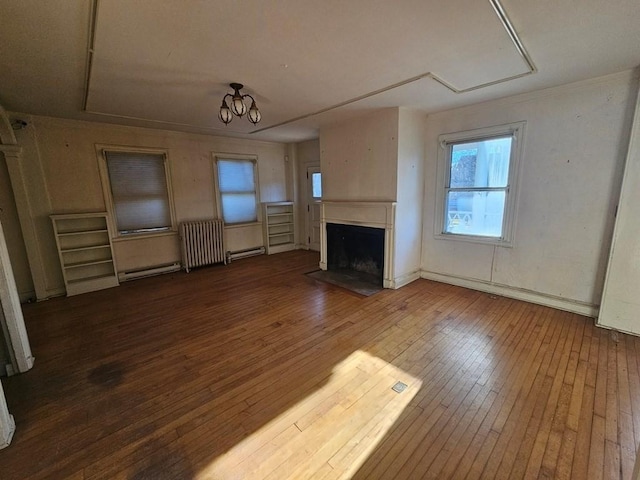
x: 352, y: 247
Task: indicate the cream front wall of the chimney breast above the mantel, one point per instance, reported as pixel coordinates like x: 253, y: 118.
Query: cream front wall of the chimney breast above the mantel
x: 359, y: 158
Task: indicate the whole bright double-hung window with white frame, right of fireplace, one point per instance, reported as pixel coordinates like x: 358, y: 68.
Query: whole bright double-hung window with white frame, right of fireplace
x: 478, y: 185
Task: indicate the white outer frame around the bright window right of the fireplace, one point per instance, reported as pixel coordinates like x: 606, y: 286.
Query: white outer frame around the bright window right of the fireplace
x: 445, y: 143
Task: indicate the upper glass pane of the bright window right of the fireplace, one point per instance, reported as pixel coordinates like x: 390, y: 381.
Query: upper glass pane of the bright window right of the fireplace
x: 483, y: 163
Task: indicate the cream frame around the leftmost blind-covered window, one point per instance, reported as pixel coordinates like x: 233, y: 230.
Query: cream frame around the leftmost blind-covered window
x: 108, y: 197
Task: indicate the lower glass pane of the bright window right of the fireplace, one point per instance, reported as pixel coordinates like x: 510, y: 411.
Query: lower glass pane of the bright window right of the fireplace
x: 475, y: 213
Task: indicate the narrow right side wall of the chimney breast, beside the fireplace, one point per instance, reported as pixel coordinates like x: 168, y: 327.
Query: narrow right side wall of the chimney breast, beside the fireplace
x: 410, y: 191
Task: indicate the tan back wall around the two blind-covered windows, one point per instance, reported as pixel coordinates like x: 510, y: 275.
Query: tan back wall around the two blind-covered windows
x: 64, y: 178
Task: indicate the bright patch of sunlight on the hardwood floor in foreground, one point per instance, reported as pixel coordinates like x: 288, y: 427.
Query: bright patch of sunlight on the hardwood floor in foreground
x: 334, y: 428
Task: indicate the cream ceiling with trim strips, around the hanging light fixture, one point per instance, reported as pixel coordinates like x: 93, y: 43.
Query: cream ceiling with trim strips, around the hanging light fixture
x: 167, y: 63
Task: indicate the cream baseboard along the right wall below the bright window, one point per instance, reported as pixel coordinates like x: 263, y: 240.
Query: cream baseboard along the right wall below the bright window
x: 573, y: 306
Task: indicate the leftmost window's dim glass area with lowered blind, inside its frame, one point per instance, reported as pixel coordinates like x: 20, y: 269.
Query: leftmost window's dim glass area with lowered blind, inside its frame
x: 139, y: 192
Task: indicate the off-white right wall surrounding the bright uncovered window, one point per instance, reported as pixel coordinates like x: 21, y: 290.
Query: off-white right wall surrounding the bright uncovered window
x: 574, y: 146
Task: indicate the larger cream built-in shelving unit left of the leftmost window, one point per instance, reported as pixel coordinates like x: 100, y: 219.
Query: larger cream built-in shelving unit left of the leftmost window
x: 85, y: 251
